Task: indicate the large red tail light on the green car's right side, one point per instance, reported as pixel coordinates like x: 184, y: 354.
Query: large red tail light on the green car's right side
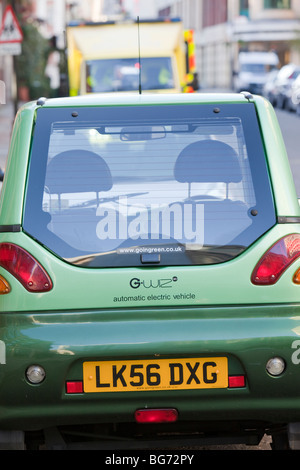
x: 276, y: 260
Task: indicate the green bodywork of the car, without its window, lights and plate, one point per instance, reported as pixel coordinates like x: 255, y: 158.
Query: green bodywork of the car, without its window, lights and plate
x: 173, y: 311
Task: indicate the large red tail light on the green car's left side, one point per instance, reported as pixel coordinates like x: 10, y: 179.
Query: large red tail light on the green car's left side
x: 24, y: 267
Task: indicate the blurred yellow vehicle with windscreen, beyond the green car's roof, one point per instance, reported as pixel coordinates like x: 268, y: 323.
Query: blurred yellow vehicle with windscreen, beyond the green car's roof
x: 147, y: 56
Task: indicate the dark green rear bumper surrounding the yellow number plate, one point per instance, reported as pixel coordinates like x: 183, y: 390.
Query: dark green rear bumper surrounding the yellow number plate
x: 62, y: 341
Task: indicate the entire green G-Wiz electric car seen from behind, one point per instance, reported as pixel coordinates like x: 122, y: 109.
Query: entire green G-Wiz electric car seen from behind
x: 149, y: 274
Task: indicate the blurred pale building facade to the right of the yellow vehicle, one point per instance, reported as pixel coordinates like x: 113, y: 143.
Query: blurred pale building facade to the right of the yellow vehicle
x: 224, y: 27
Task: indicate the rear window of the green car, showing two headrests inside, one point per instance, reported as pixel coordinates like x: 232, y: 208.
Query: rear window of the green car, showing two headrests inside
x: 148, y: 185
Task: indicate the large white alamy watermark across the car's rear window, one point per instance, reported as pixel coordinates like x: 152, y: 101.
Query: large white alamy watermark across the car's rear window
x: 120, y: 221
